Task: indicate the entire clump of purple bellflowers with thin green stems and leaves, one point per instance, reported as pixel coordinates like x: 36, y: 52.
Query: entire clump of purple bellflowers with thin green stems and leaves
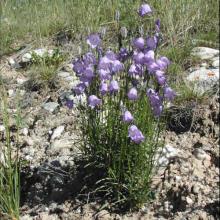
x: 126, y: 92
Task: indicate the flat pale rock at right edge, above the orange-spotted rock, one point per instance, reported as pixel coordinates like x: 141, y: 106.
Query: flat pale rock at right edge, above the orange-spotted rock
x: 205, y: 53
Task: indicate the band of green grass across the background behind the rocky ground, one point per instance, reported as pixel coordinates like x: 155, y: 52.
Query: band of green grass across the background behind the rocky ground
x: 182, y: 19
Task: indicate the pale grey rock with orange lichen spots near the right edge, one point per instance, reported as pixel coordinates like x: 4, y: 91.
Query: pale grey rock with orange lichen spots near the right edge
x: 203, y: 80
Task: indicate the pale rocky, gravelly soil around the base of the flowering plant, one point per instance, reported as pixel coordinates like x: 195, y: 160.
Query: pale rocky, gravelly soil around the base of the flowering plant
x: 185, y: 185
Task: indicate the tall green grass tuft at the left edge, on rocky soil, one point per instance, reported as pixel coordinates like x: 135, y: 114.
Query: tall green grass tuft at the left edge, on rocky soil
x: 9, y: 168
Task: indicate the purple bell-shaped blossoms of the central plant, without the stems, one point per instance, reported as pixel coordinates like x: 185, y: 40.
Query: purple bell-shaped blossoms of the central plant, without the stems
x: 141, y: 65
